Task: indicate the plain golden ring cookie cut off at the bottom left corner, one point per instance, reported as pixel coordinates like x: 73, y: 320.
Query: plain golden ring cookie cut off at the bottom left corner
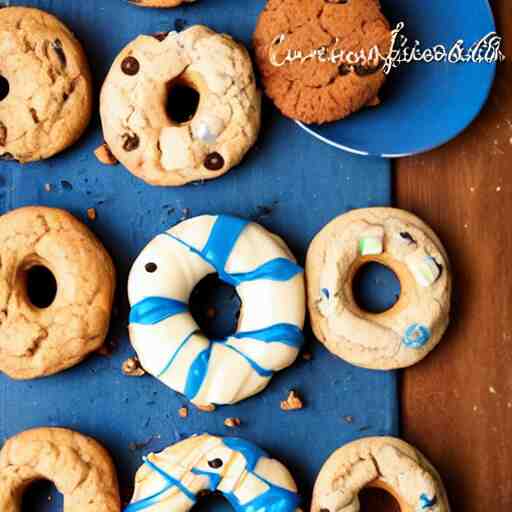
x: 80, y: 468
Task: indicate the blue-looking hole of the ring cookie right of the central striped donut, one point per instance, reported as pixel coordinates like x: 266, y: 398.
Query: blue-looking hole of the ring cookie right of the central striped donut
x: 376, y: 288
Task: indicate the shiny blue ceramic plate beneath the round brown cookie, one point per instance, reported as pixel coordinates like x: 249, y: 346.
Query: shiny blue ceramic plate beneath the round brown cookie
x: 423, y: 105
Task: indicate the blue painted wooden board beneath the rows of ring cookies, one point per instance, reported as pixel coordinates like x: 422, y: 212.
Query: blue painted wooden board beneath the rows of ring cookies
x: 304, y: 182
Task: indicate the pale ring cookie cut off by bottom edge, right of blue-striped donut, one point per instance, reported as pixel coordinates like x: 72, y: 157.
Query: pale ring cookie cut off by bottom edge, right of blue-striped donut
x: 383, y: 462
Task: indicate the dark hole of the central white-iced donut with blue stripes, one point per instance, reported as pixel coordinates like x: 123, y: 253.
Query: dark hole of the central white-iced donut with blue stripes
x: 215, y: 306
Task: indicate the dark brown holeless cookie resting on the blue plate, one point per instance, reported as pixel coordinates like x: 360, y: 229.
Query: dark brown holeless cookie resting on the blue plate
x: 329, y: 87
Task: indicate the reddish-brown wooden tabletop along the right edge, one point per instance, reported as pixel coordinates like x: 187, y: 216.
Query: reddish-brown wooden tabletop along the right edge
x: 457, y: 404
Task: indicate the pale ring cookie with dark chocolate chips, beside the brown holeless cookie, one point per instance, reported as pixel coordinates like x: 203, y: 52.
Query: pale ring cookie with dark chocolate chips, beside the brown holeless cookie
x: 177, y: 108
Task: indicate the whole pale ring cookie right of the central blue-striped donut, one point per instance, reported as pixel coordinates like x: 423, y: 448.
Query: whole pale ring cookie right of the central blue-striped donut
x: 402, y: 335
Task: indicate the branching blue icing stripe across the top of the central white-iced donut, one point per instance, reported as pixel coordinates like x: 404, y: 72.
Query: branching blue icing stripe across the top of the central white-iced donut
x: 217, y: 250
